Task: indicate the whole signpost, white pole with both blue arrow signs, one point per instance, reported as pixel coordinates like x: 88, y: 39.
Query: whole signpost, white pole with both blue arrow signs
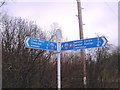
x: 71, y: 45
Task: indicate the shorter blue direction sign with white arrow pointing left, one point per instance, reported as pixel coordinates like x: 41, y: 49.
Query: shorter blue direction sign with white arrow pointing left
x: 39, y: 44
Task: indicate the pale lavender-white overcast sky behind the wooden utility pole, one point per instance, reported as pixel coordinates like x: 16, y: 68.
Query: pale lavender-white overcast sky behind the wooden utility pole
x: 99, y: 17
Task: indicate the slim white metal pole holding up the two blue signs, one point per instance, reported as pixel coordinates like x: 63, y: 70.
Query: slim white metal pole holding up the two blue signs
x: 59, y: 65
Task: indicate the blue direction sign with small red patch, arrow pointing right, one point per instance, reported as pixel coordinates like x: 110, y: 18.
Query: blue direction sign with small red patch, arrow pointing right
x: 84, y: 43
